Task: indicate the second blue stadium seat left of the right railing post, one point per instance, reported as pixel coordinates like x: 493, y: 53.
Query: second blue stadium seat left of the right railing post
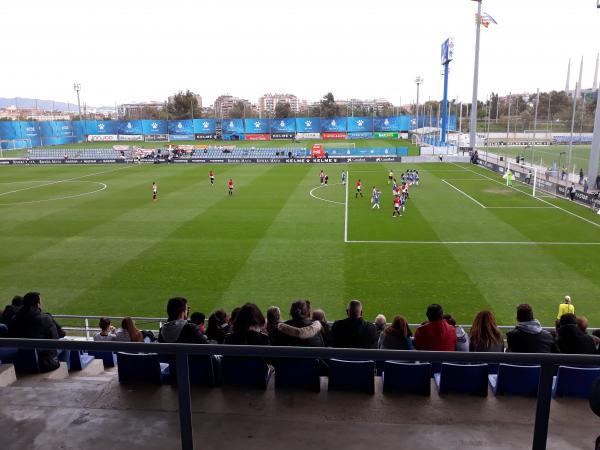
x: 463, y: 379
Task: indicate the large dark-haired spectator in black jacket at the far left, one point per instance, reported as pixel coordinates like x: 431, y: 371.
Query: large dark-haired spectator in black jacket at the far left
x: 30, y: 322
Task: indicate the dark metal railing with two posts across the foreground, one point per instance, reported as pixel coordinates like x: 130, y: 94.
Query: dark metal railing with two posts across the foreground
x: 181, y: 352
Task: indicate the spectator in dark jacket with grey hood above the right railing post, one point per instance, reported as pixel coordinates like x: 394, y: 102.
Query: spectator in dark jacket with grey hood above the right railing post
x: 529, y: 336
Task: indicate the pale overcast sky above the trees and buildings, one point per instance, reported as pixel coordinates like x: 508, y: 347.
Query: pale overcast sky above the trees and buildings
x: 133, y: 50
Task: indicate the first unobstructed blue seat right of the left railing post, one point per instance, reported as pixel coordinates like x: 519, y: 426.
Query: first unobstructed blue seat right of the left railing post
x: 246, y: 372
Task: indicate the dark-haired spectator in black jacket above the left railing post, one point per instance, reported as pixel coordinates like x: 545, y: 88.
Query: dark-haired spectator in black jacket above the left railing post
x: 178, y: 329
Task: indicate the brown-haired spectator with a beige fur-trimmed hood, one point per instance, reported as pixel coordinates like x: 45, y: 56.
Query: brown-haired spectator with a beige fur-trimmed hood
x: 300, y: 331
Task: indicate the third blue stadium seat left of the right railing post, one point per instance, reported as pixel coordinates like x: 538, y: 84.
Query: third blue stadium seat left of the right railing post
x: 409, y: 378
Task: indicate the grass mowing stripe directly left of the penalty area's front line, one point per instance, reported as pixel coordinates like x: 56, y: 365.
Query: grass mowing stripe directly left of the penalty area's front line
x: 278, y: 269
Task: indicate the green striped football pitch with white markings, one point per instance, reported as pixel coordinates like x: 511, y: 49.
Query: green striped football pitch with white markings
x: 92, y: 241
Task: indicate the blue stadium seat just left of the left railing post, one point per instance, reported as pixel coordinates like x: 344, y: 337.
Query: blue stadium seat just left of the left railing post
x: 141, y: 368
